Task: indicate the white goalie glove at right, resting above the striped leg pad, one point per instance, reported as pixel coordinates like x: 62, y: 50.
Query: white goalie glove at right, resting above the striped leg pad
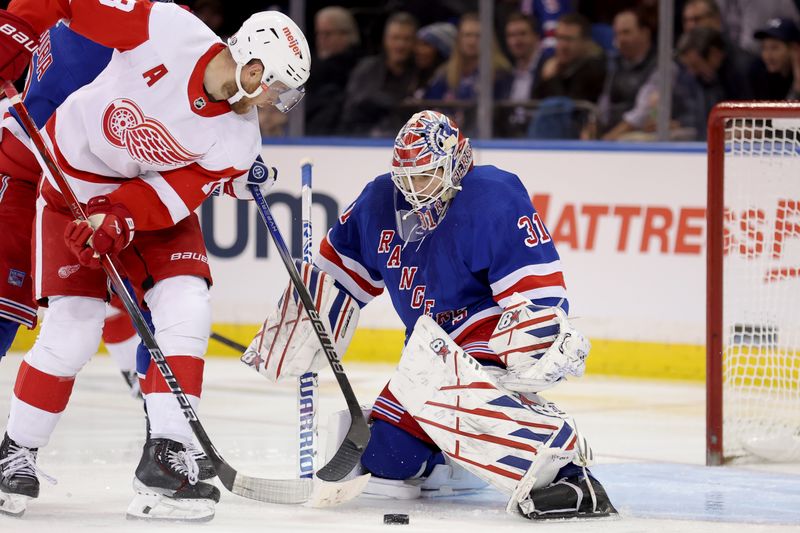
x: 539, y: 346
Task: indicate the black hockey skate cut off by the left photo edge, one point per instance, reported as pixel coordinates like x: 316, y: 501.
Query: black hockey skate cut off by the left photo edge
x: 18, y: 477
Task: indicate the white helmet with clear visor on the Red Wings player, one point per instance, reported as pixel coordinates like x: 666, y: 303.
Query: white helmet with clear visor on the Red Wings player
x: 278, y: 43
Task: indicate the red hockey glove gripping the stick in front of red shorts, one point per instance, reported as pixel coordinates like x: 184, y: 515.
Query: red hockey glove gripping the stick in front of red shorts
x: 108, y: 230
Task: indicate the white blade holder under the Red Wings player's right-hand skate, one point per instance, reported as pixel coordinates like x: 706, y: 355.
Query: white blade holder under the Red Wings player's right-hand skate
x: 152, y: 506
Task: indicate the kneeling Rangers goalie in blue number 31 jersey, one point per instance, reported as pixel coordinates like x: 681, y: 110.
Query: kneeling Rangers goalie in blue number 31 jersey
x: 476, y: 279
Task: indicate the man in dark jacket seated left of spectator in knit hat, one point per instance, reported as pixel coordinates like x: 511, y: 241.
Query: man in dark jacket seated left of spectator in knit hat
x: 379, y: 82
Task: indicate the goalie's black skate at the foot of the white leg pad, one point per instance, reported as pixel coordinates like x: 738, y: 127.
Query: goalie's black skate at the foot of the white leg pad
x: 576, y: 496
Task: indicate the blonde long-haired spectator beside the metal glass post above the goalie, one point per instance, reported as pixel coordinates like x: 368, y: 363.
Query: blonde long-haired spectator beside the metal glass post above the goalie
x: 457, y: 80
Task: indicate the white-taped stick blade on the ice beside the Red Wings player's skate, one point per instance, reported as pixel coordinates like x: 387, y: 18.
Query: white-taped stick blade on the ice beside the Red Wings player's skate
x: 284, y: 491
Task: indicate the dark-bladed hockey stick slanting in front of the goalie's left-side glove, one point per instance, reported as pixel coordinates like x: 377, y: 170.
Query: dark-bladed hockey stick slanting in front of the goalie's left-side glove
x: 349, y: 453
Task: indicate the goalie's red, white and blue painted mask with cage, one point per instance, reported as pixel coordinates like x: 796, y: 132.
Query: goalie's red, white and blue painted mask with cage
x: 431, y: 157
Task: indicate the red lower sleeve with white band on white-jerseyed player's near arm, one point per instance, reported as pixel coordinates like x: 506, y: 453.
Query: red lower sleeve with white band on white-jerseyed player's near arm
x: 160, y: 200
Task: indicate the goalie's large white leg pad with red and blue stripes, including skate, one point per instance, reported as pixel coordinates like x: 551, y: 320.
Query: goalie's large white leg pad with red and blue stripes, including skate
x: 522, y: 445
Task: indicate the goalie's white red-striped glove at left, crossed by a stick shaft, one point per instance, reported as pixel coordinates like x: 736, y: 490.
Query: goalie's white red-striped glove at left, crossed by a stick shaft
x: 286, y: 346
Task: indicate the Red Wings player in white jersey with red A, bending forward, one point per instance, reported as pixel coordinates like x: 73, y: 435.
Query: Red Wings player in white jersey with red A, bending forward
x: 171, y: 117
